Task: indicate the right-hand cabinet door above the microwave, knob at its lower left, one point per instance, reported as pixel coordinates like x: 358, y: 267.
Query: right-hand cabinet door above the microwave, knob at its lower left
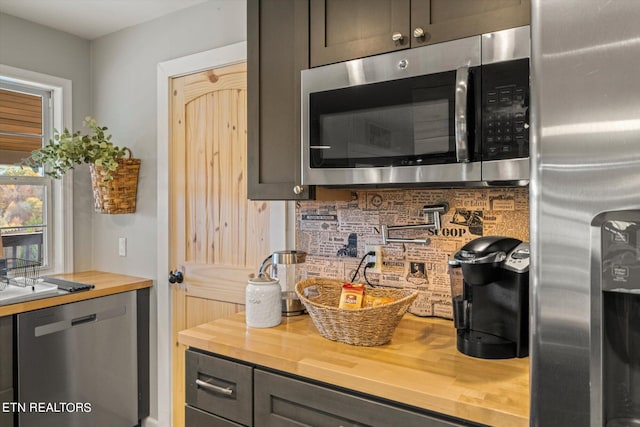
x: 443, y: 20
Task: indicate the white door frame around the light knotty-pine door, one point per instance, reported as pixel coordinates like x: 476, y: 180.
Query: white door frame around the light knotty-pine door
x: 278, y: 237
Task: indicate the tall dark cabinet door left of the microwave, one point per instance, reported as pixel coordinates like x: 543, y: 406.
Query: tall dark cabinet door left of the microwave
x: 277, y: 50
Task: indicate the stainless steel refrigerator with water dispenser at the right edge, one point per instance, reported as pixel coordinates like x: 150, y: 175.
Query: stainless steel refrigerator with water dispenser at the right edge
x: 585, y: 213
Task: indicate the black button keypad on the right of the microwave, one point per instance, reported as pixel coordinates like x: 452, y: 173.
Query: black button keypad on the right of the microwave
x: 505, y: 132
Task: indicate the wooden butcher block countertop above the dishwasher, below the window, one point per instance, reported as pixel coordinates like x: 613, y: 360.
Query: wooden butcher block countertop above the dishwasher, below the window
x: 105, y: 284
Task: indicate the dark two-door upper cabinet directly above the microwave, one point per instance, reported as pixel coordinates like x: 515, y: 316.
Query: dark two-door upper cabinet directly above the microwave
x: 347, y: 29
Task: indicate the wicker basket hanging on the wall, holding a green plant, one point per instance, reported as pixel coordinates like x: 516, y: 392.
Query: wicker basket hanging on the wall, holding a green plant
x: 117, y: 196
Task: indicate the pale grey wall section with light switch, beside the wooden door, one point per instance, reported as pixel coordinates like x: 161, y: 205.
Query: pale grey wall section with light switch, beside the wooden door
x: 124, y: 87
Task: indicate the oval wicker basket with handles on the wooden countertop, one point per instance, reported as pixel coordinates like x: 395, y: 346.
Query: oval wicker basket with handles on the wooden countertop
x: 369, y: 326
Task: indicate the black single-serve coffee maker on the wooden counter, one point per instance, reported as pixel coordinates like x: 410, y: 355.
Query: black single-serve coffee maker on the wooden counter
x: 491, y: 305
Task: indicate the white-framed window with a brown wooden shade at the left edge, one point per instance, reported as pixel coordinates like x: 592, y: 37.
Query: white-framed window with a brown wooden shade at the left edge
x: 35, y: 210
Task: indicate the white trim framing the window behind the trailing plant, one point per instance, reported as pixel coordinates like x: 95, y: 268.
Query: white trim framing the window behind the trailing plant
x: 61, y: 97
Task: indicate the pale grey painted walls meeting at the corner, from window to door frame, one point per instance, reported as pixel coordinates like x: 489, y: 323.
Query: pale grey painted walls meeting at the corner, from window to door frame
x: 114, y: 79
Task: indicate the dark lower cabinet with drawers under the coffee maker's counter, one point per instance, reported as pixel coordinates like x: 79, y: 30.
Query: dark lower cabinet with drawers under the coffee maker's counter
x: 279, y: 400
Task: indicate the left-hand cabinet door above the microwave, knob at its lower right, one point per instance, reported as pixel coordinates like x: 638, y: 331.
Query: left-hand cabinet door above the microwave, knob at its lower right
x: 346, y: 29
